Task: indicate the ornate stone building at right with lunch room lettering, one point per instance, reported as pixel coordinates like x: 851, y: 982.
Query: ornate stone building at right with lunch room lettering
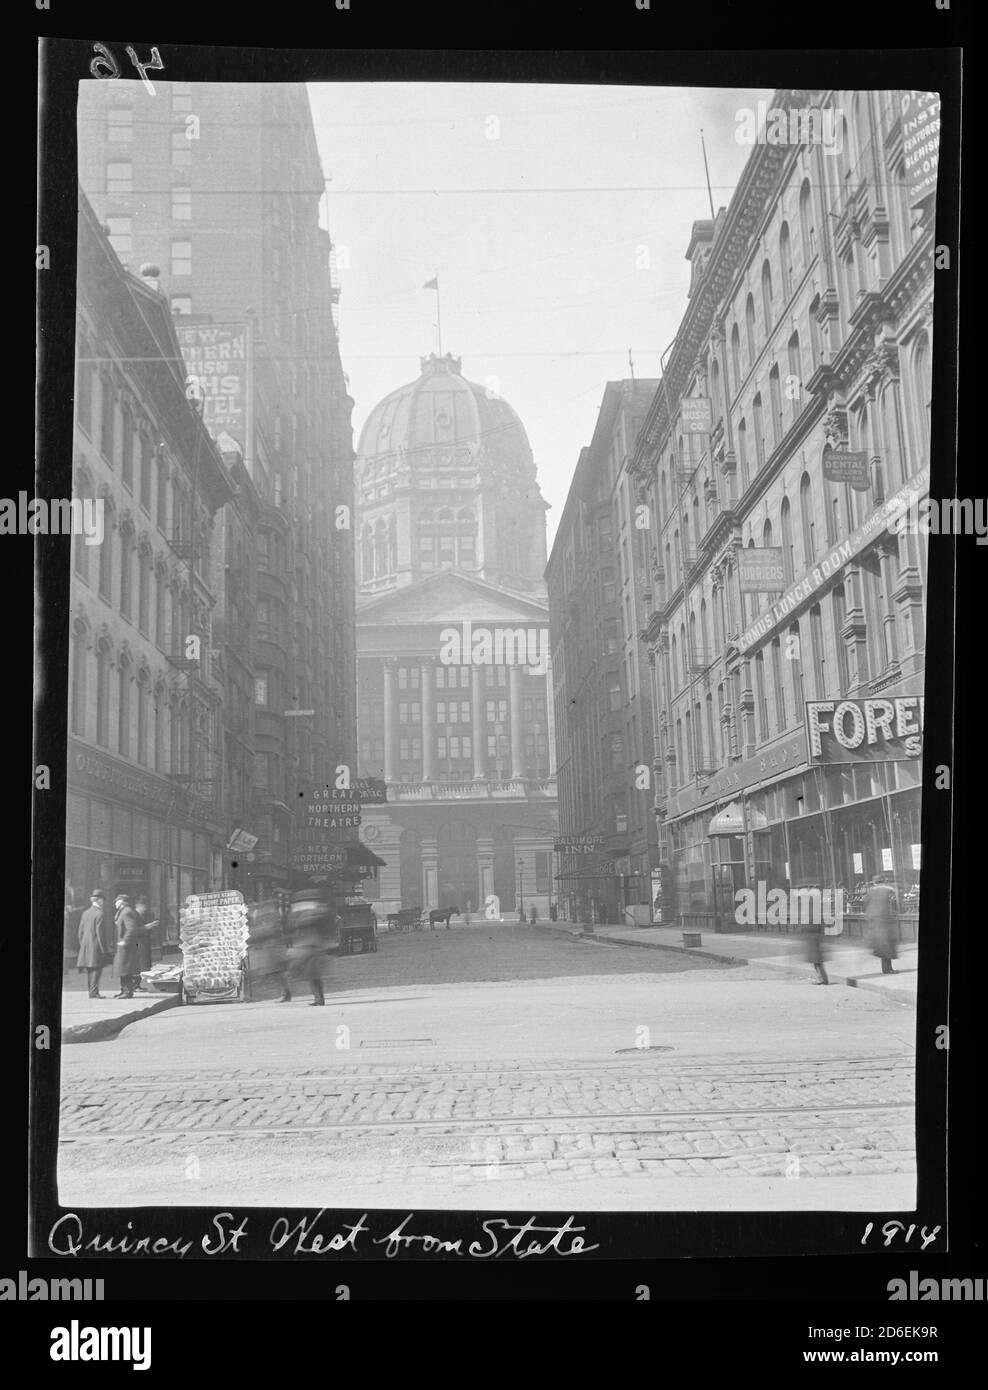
x: 808, y: 338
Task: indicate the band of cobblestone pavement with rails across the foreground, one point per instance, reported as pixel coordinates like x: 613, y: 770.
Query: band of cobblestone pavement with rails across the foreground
x: 456, y: 1122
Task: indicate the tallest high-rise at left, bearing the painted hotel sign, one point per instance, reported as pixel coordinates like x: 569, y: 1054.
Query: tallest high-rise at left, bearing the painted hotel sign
x: 220, y: 187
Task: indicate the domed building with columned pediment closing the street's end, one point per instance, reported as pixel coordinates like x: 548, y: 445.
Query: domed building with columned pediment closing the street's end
x: 454, y: 676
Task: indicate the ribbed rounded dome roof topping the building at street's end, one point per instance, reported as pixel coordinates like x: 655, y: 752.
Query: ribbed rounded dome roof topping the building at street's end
x: 444, y: 419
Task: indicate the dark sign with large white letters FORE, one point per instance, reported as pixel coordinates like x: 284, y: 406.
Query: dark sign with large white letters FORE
x: 865, y: 730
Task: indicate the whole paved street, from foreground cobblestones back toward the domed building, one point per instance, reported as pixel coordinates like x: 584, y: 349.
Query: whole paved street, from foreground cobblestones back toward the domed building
x: 494, y: 1067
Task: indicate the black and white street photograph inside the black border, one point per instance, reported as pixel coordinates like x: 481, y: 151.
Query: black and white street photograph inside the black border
x: 498, y: 623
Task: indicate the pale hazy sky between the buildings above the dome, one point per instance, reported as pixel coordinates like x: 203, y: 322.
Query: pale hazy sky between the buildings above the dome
x: 543, y: 293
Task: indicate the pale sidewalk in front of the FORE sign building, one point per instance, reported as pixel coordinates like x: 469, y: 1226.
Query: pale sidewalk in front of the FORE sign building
x: 848, y: 963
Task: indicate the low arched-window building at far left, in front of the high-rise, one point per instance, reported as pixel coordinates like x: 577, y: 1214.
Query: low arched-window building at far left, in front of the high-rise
x: 147, y: 687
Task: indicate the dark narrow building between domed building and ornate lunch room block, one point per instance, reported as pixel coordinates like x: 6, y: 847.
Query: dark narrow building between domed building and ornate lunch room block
x: 600, y: 578
